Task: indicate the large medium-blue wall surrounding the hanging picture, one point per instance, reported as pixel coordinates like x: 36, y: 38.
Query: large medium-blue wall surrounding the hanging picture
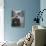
x: 30, y: 7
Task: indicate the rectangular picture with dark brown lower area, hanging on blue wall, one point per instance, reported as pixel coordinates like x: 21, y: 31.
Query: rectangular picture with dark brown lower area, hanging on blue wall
x: 17, y: 18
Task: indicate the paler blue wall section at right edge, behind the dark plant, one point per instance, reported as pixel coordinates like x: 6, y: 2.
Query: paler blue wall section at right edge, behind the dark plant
x: 43, y: 6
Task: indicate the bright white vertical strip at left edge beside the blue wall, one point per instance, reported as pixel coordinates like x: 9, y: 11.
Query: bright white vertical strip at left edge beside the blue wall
x: 1, y: 20
